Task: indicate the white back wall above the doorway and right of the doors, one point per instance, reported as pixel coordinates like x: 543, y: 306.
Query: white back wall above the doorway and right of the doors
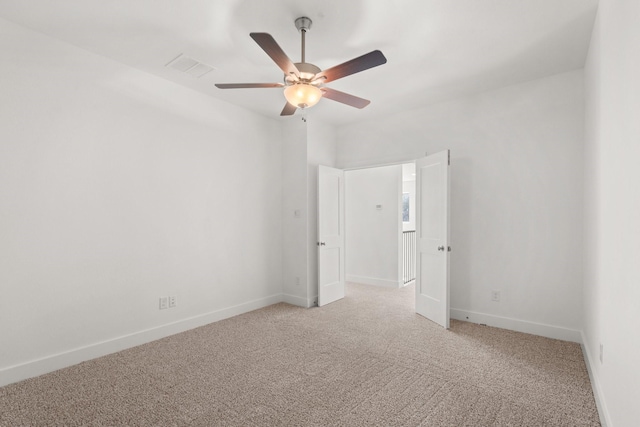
x: 516, y: 176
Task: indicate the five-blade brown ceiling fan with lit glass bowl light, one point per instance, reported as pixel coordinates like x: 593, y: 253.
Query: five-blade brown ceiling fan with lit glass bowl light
x: 303, y: 81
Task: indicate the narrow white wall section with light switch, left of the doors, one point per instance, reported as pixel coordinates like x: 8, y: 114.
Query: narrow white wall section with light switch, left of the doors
x: 295, y: 213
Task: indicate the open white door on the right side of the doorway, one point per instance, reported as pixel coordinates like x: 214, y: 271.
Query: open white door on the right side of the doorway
x: 432, y: 237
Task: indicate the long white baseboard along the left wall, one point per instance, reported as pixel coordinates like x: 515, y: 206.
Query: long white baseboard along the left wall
x: 54, y: 362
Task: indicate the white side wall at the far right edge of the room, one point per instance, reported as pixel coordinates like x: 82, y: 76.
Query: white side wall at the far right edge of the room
x: 612, y: 210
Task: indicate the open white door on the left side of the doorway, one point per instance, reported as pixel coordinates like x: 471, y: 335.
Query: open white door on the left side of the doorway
x: 331, y: 236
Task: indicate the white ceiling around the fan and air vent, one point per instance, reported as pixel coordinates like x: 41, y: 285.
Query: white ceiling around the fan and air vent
x: 436, y: 49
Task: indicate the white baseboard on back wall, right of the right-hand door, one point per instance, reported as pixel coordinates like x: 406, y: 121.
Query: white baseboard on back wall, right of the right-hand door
x: 533, y: 328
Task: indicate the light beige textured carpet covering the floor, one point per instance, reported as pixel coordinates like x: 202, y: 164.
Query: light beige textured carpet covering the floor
x: 362, y: 361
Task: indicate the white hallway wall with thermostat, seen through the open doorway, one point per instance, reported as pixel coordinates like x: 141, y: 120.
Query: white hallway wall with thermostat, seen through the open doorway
x: 373, y: 235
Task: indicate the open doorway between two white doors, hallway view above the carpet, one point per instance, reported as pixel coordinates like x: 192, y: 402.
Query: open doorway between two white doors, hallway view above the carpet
x: 380, y: 225
